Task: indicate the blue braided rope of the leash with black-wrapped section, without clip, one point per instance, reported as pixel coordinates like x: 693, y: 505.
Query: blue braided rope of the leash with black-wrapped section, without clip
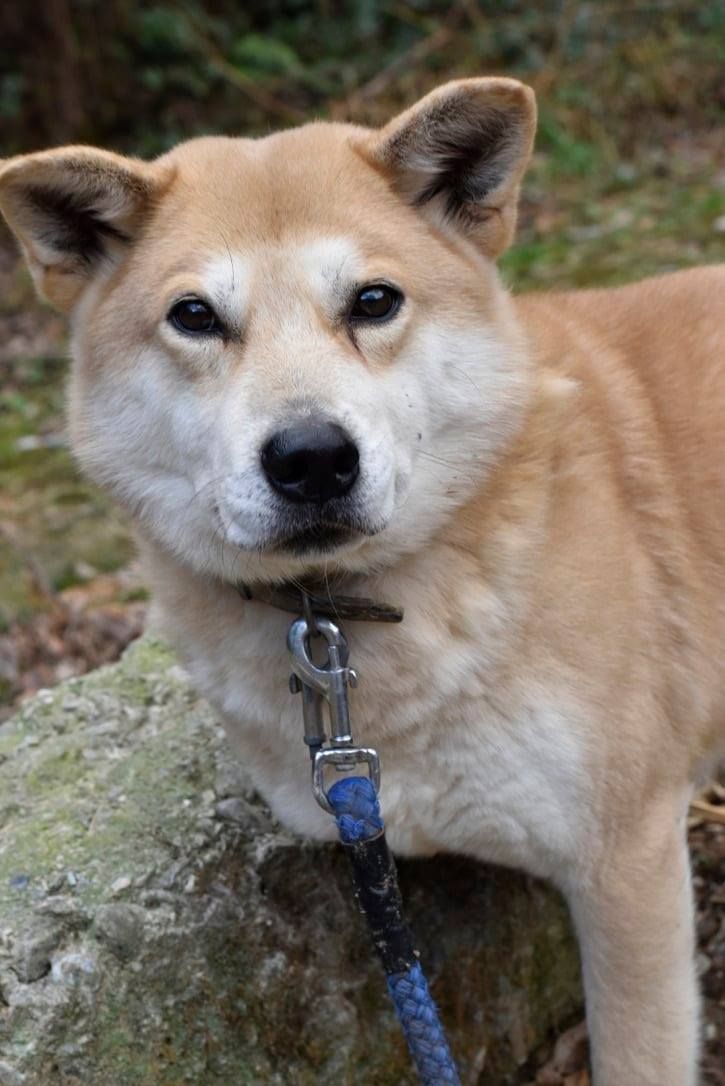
x: 361, y: 826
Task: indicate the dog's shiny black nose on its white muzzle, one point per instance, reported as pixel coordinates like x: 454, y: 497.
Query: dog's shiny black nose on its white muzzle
x: 311, y: 461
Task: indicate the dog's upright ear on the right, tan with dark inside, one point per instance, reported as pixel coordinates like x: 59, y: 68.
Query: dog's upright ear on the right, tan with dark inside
x: 460, y: 156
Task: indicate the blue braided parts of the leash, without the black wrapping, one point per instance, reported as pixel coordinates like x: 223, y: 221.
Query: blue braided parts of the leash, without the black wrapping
x: 358, y: 814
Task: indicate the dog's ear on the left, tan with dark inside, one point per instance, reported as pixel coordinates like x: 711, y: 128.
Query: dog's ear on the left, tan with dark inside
x: 74, y: 210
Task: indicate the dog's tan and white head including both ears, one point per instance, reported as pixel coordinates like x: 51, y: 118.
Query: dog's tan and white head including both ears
x: 290, y: 352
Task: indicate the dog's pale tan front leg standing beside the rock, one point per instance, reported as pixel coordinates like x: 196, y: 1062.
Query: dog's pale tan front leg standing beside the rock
x: 634, y: 918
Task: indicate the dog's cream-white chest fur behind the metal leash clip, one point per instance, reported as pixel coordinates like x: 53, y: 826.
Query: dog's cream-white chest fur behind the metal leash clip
x: 493, y: 774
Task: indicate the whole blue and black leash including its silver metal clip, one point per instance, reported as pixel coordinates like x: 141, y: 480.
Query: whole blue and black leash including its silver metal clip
x: 353, y: 801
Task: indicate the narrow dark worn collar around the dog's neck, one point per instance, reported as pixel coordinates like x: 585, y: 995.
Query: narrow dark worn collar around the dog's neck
x: 315, y: 598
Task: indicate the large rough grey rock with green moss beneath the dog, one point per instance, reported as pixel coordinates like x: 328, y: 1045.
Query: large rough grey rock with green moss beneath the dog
x: 159, y: 928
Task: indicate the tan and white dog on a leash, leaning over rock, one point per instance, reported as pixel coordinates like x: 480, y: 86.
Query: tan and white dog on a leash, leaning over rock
x: 294, y: 358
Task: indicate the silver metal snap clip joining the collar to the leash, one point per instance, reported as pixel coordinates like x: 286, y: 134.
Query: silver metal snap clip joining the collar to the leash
x: 329, y: 684
